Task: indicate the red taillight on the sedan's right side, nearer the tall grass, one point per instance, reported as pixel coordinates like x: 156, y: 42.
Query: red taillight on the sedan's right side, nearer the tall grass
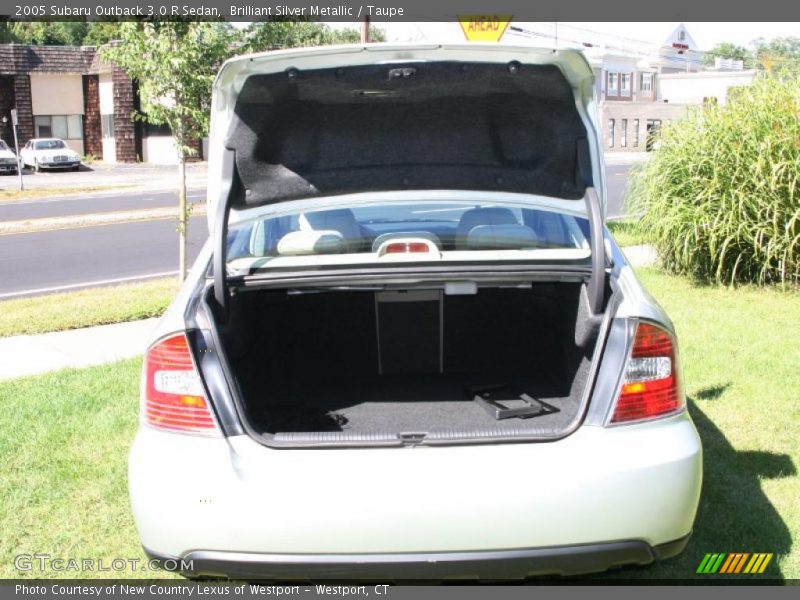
x: 650, y: 388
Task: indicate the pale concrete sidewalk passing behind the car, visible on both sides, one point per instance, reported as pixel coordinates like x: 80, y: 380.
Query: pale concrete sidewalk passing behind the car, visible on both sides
x: 34, y: 354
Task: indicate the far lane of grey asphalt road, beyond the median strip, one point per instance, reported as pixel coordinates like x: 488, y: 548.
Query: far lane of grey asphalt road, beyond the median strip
x: 64, y: 206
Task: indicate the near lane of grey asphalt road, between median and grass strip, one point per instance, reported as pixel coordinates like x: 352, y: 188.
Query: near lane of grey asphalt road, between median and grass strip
x: 34, y: 263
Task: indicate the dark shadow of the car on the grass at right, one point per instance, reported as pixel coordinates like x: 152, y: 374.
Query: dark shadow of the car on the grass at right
x: 734, y: 513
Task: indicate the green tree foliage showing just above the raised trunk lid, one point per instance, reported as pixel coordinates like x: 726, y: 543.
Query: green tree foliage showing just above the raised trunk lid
x: 278, y: 33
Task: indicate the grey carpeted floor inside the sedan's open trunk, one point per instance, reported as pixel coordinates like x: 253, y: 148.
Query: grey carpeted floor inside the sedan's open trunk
x: 400, y: 404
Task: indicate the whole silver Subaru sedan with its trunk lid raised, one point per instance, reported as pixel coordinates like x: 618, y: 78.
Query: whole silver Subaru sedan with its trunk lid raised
x: 410, y: 348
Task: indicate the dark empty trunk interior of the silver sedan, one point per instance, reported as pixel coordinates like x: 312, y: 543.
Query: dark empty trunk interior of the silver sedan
x: 388, y: 366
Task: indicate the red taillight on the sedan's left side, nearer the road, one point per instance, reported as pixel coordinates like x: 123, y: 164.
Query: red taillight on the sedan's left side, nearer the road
x: 174, y: 397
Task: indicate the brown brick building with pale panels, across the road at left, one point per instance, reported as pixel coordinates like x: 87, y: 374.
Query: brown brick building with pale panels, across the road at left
x: 69, y: 93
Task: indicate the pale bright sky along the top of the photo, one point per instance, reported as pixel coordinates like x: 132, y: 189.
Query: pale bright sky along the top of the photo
x: 706, y: 35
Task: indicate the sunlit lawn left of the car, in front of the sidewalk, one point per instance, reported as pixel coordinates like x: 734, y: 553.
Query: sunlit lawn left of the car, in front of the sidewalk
x: 64, y: 441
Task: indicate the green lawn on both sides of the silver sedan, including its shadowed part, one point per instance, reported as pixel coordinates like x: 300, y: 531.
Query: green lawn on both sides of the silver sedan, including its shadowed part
x: 64, y: 440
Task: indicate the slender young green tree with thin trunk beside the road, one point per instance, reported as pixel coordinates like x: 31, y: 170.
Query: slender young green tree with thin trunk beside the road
x: 174, y: 64
